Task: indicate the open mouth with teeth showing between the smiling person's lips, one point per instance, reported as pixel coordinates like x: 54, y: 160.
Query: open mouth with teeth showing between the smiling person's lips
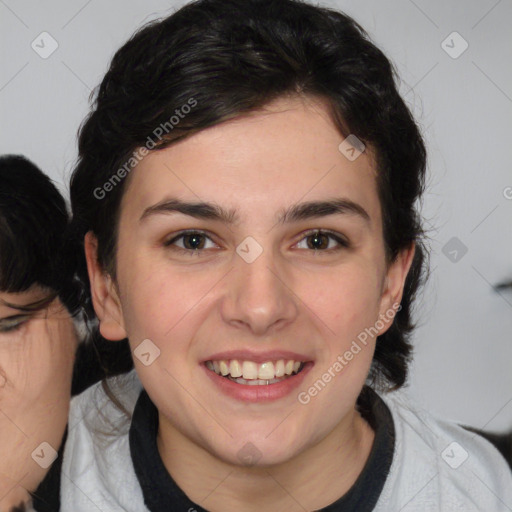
x: 250, y: 373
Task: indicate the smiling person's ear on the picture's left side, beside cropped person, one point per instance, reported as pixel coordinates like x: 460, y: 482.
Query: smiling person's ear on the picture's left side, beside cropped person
x: 105, y: 298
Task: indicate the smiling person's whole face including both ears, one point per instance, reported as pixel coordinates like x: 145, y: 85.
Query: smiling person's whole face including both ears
x: 286, y: 264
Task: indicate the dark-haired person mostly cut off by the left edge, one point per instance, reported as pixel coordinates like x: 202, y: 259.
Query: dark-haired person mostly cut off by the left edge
x: 37, y: 334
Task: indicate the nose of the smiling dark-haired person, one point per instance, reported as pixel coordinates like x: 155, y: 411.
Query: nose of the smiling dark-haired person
x: 259, y: 296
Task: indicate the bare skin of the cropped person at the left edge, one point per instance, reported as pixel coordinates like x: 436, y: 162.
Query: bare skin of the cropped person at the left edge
x: 36, y: 363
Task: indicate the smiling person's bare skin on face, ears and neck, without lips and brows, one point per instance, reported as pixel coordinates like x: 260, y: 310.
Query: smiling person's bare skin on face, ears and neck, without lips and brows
x: 192, y: 305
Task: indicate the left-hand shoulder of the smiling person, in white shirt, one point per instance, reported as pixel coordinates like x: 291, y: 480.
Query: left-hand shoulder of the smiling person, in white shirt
x: 97, y: 453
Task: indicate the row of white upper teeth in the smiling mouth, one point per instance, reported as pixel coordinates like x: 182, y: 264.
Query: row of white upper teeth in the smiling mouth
x: 251, y: 370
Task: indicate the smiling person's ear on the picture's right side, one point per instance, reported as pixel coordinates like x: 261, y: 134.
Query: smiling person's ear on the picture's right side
x: 393, y: 286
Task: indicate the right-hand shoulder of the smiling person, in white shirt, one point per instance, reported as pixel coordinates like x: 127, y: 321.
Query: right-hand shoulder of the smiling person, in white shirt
x: 438, y: 465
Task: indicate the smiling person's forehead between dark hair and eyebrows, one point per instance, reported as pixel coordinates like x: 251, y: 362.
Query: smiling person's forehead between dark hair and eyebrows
x: 264, y: 161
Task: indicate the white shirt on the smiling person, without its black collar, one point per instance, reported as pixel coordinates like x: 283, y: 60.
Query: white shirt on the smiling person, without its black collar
x: 437, y: 466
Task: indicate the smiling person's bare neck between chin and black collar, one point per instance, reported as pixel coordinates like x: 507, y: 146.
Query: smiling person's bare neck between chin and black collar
x: 313, y: 479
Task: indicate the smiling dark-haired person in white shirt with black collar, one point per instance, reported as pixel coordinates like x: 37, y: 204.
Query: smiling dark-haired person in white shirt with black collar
x: 245, y: 194
